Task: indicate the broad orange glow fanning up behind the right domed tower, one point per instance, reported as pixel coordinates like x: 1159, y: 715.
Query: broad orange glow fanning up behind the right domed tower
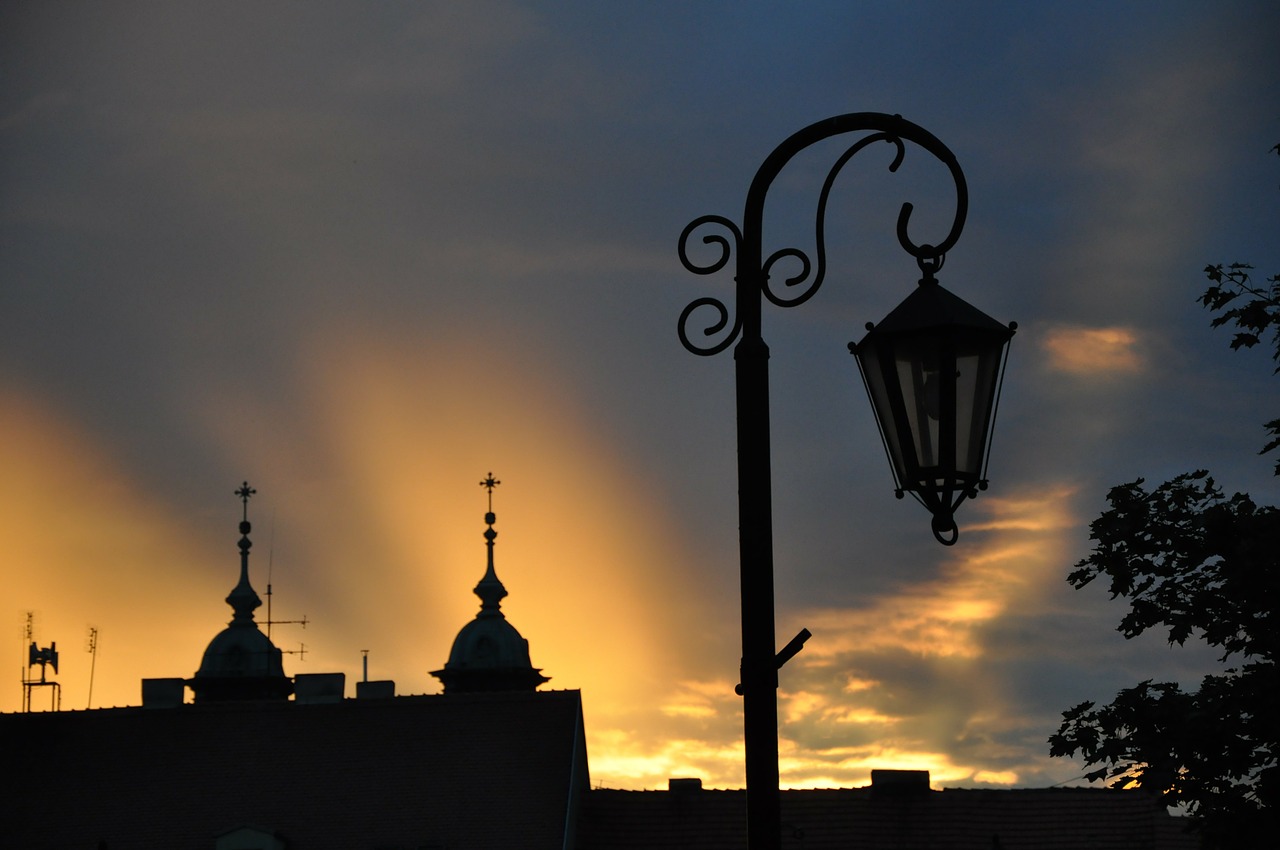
x: 593, y: 578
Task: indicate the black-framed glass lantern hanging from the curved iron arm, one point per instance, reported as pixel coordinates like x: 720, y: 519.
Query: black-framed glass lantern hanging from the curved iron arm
x: 934, y: 371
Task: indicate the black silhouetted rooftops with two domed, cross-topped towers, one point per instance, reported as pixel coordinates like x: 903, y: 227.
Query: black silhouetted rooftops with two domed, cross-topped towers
x: 268, y: 762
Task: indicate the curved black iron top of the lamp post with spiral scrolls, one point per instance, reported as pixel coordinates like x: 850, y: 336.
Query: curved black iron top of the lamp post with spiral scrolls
x: 746, y: 244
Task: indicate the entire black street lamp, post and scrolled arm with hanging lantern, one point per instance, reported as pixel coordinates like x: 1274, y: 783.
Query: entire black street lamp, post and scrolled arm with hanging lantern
x: 932, y: 371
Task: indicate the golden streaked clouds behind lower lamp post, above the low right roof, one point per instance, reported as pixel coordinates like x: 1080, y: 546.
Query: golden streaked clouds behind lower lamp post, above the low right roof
x: 840, y: 724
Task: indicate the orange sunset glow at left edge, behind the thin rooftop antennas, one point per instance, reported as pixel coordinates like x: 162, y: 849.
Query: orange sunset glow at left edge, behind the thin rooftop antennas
x: 85, y: 547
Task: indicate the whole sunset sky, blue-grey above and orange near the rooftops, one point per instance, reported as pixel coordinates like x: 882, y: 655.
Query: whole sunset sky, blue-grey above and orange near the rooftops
x: 364, y: 254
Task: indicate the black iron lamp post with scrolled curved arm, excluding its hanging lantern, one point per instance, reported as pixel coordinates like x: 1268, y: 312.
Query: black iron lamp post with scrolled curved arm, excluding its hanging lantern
x: 761, y: 662
